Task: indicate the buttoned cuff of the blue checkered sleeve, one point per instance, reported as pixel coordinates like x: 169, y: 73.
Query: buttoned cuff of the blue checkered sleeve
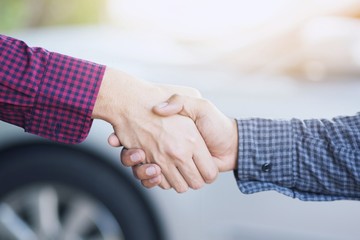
x: 265, y: 156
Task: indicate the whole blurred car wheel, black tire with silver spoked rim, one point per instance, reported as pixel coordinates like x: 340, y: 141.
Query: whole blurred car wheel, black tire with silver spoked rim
x: 57, y: 192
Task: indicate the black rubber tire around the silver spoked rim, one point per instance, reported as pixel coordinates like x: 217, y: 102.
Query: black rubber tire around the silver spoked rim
x: 84, y: 173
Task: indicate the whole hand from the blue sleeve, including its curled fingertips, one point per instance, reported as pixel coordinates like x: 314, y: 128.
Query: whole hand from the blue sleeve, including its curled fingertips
x: 218, y: 131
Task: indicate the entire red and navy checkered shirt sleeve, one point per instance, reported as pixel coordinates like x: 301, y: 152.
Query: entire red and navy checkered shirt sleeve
x: 46, y: 93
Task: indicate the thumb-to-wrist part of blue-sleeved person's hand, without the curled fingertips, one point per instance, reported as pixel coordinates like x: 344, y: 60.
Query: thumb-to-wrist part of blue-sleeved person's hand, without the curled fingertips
x: 219, y: 132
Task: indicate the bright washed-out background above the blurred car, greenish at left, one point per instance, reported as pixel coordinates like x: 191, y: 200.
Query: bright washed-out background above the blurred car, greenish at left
x: 271, y: 37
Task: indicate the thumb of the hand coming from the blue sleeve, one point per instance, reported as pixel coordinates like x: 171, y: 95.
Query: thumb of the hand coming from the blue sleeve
x: 176, y: 104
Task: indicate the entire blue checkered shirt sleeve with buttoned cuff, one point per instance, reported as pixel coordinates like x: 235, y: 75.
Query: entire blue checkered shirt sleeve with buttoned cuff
x: 312, y: 160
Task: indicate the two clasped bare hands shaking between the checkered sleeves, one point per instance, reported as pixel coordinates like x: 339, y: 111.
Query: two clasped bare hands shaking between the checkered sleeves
x: 171, y: 136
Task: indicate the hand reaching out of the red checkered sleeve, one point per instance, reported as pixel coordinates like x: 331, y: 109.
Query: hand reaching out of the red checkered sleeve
x: 174, y: 143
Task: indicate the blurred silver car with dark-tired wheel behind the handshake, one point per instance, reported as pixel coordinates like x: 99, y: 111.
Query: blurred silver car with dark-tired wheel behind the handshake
x: 55, y: 191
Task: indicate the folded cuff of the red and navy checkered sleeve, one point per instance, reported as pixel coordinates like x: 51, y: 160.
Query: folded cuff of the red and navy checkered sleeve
x: 65, y: 99
